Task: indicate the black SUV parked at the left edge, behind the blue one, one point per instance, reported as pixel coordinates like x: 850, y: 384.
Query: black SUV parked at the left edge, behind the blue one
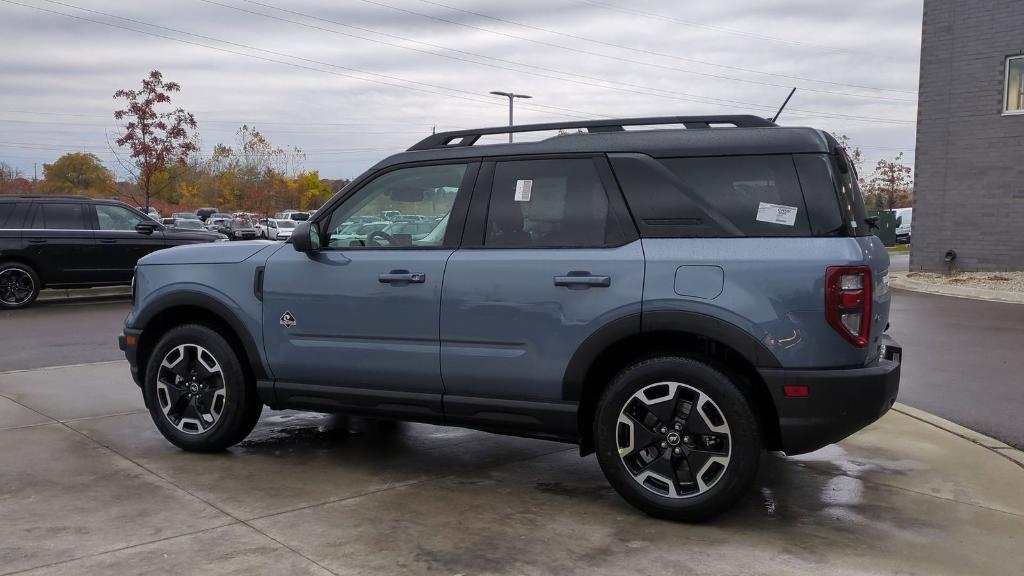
x: 75, y: 242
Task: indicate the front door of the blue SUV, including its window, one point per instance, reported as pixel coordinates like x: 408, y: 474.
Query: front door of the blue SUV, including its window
x: 354, y: 327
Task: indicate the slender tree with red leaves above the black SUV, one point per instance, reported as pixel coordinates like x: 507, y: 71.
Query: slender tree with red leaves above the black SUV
x: 157, y: 139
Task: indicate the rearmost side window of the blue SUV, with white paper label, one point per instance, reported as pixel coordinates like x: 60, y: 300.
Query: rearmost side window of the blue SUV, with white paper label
x: 737, y: 196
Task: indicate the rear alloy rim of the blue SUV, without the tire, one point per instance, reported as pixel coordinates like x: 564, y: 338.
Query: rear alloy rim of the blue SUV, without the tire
x: 673, y: 440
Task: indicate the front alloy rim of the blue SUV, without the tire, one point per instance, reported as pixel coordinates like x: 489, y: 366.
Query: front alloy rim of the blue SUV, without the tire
x: 191, y: 389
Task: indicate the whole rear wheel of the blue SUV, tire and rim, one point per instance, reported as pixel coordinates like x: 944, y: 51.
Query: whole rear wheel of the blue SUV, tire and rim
x: 722, y: 440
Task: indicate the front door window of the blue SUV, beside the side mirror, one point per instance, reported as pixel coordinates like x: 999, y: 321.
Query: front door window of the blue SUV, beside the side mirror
x: 370, y: 218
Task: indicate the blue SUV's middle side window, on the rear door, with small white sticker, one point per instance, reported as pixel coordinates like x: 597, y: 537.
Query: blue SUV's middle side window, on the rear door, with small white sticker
x: 549, y: 204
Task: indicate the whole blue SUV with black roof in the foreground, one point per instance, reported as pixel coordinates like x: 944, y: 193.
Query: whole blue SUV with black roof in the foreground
x: 674, y: 300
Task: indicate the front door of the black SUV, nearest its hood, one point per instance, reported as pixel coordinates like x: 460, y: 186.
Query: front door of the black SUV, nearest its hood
x: 119, y: 244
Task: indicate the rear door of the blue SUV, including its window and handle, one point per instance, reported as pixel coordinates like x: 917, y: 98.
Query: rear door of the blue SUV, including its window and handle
x: 549, y: 258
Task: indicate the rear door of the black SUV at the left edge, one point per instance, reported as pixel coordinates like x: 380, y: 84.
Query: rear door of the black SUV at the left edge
x: 61, y: 241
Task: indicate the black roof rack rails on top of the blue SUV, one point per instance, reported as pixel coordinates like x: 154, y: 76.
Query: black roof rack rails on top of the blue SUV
x: 470, y: 138
